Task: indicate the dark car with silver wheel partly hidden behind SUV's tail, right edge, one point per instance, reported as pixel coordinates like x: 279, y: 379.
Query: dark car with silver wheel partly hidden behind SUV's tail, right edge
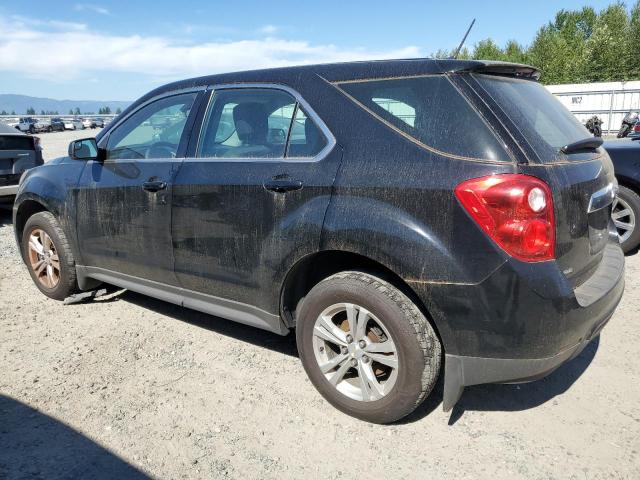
x: 625, y: 155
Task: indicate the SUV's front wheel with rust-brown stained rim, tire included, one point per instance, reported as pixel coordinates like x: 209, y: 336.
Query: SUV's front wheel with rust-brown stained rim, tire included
x: 49, y: 257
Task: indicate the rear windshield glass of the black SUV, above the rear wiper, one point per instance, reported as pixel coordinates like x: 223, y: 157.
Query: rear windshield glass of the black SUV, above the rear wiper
x: 541, y: 118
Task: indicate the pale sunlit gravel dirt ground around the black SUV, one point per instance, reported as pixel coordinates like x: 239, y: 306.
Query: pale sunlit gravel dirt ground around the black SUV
x: 128, y: 387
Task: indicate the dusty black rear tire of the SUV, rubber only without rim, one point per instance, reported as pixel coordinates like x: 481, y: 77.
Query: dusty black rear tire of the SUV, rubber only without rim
x: 418, y: 347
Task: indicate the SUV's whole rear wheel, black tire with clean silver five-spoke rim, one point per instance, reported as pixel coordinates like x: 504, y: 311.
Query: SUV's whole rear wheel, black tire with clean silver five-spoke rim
x: 366, y: 347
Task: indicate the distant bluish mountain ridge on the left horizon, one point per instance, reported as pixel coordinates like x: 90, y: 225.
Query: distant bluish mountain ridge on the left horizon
x: 20, y: 104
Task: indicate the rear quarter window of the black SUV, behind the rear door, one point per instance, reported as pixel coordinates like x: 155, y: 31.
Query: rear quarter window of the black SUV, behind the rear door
x: 431, y: 112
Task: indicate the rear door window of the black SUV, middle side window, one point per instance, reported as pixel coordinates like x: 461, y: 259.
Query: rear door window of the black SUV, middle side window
x: 257, y: 123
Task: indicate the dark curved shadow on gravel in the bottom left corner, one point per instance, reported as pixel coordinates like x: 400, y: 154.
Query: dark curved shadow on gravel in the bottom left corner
x: 34, y: 445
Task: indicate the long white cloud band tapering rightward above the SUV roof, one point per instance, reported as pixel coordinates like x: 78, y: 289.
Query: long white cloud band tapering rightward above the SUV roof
x: 77, y: 51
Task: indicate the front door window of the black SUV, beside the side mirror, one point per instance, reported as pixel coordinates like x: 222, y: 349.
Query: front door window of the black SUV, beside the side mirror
x: 154, y: 131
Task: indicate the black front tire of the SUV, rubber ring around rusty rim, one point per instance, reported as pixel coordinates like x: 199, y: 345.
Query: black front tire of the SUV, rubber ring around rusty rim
x: 67, y: 283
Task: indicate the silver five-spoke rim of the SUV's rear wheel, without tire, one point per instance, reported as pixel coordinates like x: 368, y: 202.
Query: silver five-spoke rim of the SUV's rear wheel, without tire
x: 355, y: 352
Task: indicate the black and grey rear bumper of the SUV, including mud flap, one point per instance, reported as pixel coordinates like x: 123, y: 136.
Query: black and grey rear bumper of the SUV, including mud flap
x: 522, y: 322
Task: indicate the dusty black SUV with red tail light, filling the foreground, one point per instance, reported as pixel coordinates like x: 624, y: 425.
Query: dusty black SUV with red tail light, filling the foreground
x: 404, y: 217
